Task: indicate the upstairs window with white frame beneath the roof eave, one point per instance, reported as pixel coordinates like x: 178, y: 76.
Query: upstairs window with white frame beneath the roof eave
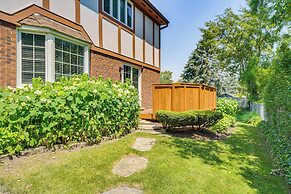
x: 121, y: 10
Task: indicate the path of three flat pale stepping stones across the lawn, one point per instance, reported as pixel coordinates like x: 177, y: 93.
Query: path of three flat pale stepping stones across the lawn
x: 131, y: 164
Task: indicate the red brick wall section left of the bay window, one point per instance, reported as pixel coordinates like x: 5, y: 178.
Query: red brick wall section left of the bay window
x: 7, y: 54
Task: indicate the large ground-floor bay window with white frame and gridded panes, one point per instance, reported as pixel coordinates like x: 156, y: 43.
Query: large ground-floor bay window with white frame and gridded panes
x: 49, y: 57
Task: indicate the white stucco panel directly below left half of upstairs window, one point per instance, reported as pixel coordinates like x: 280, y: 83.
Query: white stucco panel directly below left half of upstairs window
x: 110, y: 35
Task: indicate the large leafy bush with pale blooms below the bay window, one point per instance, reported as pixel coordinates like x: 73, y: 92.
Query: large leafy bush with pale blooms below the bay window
x: 71, y: 110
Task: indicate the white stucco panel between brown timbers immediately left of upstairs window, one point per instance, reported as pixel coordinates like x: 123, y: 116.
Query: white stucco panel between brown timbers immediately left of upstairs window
x: 89, y: 19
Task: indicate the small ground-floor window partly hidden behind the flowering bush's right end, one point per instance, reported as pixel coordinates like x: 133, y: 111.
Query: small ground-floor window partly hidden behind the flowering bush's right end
x: 132, y: 74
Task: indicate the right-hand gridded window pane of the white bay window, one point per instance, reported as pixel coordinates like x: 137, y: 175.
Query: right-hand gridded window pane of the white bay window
x: 69, y: 59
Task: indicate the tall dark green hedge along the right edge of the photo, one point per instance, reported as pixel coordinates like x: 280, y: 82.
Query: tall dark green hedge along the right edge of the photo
x: 277, y: 100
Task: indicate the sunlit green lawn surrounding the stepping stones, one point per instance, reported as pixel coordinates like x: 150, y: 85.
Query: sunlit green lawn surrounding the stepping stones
x: 239, y: 164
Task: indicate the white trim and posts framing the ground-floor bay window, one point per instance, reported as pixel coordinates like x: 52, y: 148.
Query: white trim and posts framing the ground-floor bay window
x: 50, y: 36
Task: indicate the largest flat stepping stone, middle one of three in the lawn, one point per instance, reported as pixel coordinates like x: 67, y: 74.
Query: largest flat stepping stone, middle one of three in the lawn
x: 130, y: 165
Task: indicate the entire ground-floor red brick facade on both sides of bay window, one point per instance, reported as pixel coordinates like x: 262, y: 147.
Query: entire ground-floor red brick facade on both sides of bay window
x: 100, y: 65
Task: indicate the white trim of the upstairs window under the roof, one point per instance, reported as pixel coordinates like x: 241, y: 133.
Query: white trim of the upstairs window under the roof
x: 118, y: 19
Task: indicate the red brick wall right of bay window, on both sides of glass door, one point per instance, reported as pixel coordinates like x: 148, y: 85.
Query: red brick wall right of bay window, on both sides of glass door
x: 109, y: 67
